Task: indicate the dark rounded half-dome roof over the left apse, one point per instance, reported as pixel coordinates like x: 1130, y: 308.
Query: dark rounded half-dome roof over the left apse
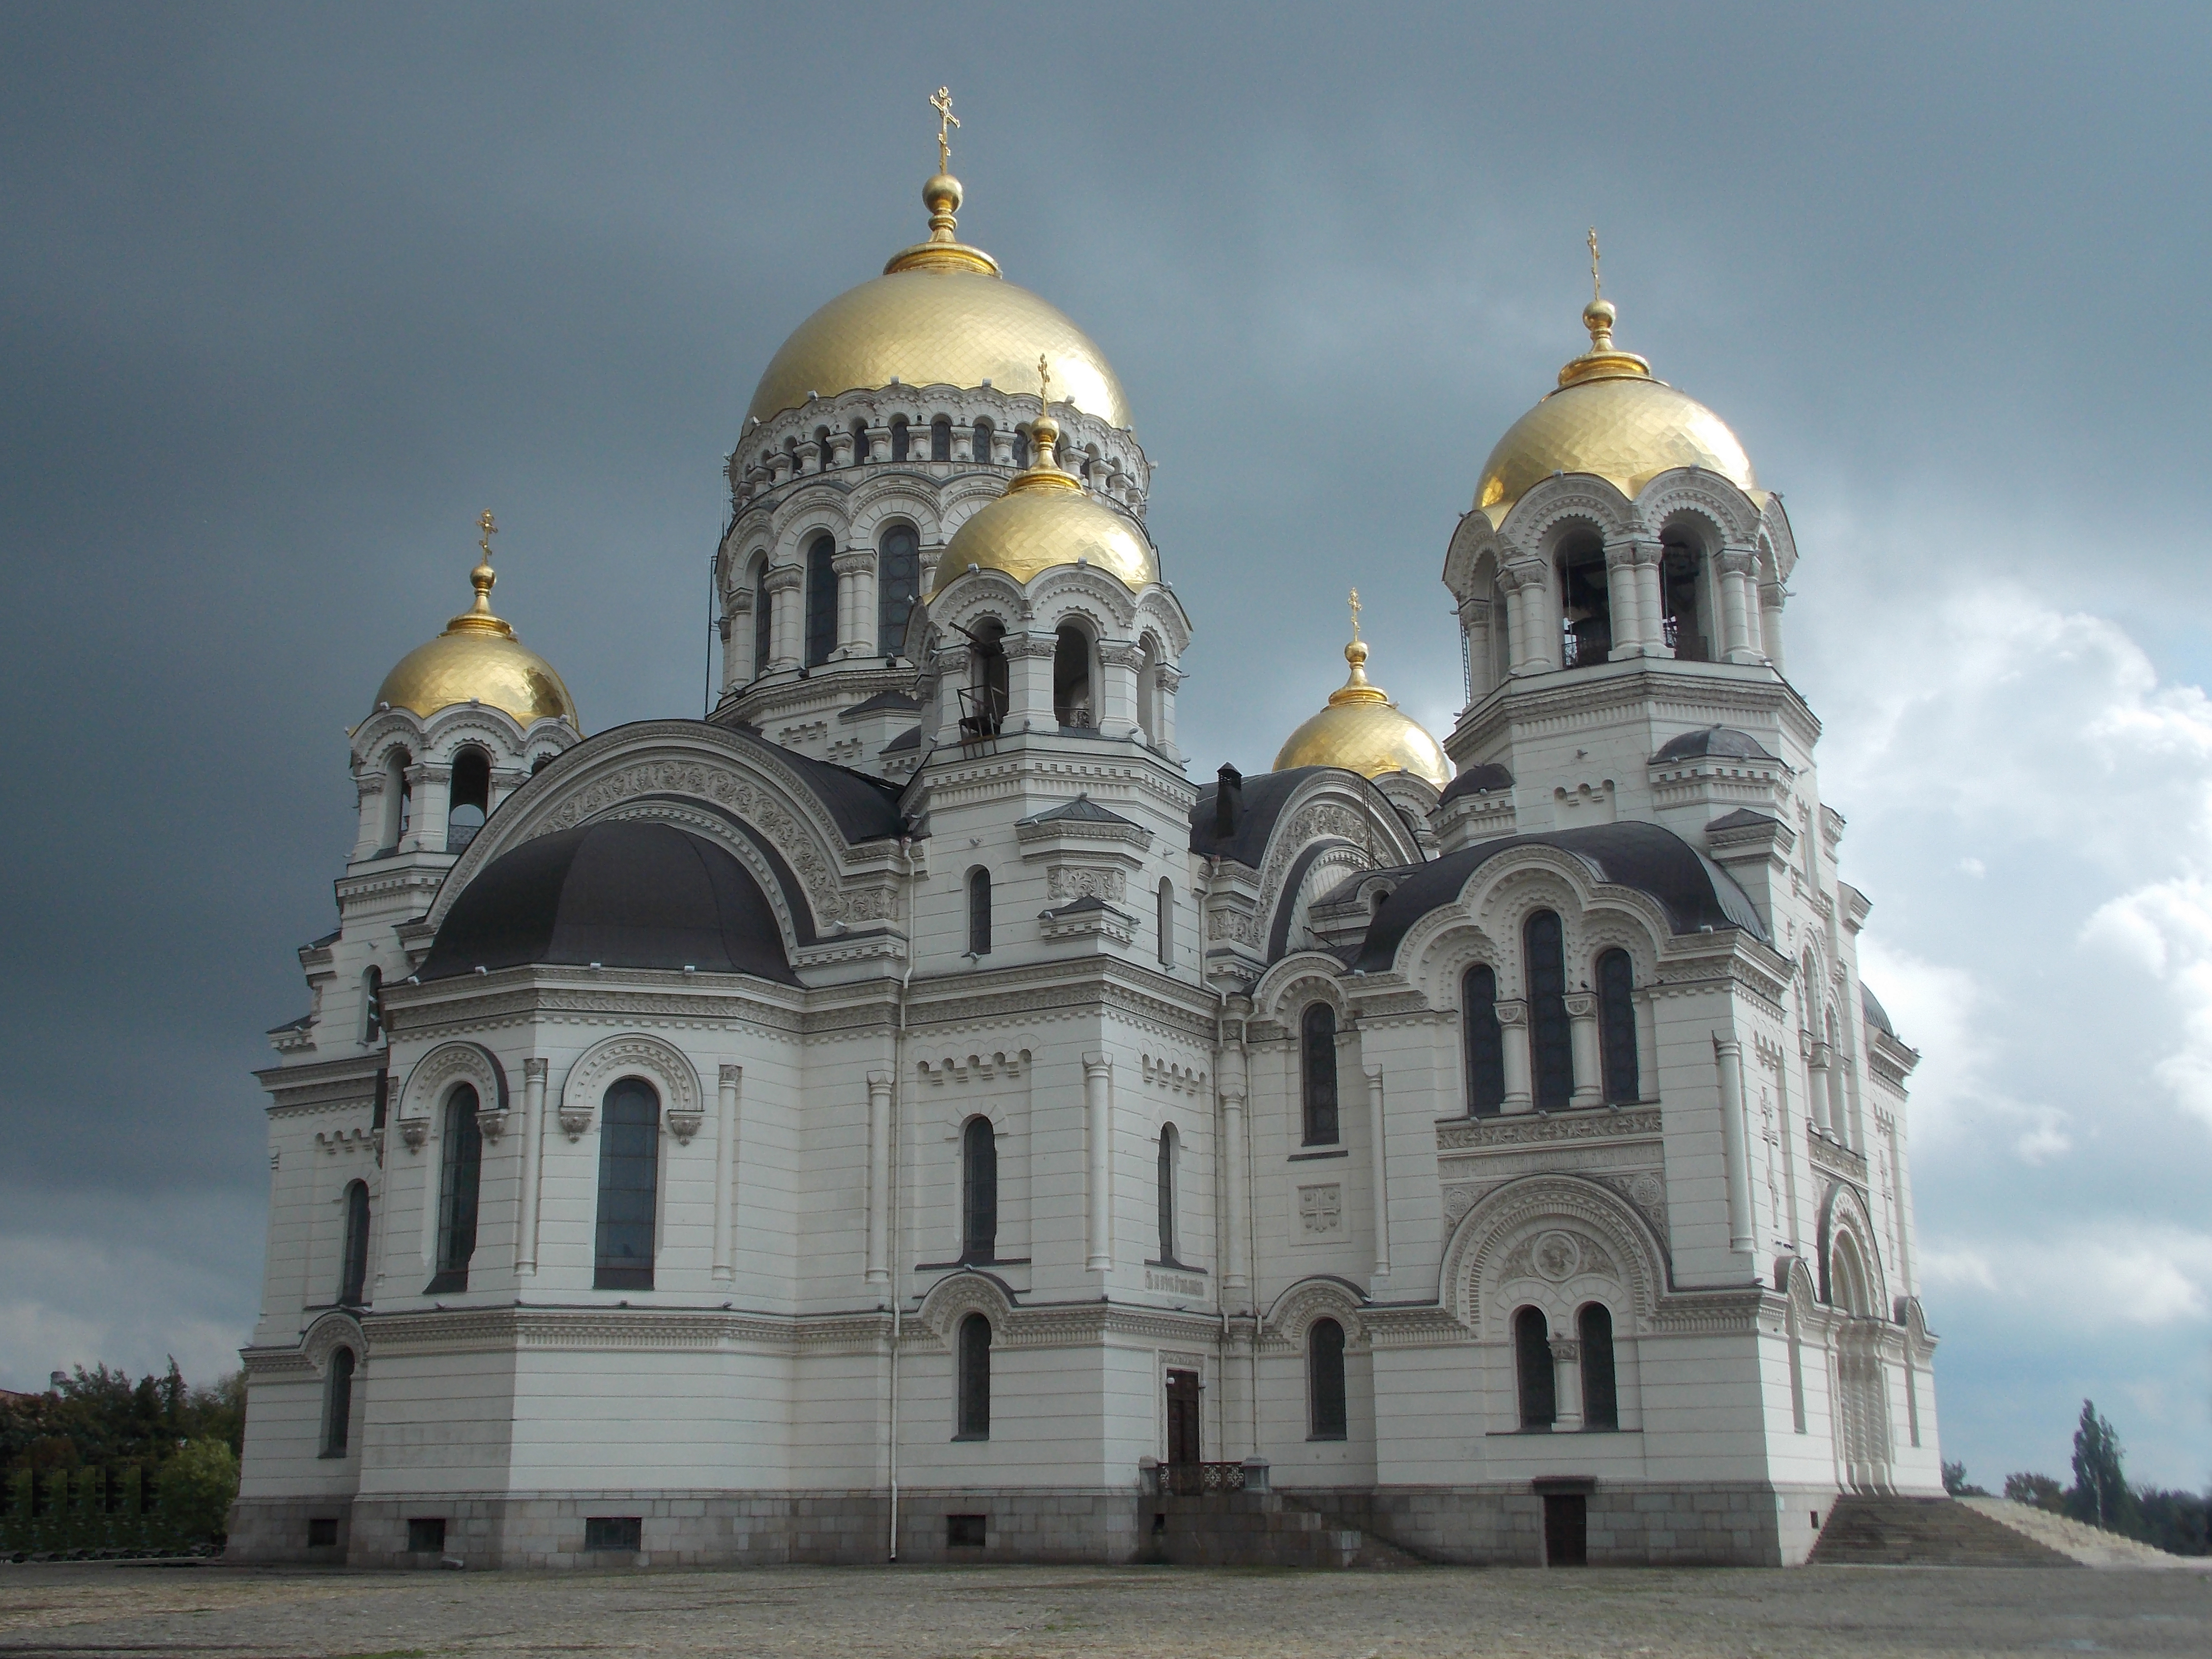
x: 620, y: 895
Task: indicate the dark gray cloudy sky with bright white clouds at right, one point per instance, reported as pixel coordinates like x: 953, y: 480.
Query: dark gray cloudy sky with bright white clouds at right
x: 291, y: 295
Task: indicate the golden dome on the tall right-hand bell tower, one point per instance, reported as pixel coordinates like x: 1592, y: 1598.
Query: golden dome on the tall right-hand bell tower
x: 1609, y: 417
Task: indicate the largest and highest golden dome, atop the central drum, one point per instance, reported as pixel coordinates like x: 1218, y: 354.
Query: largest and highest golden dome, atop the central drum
x: 939, y: 315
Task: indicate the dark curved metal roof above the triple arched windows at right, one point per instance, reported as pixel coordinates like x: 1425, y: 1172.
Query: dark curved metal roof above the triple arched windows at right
x: 1698, y: 895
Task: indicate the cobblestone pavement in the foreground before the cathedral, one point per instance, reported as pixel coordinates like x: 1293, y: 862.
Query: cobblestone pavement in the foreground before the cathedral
x: 94, y: 1611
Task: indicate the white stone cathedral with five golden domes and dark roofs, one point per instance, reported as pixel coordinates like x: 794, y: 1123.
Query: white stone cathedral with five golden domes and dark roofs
x: 906, y: 1116
